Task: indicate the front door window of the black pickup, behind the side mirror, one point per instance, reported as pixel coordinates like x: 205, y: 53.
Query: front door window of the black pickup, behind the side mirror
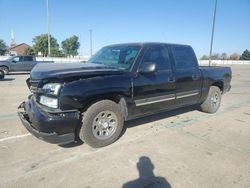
x: 158, y: 55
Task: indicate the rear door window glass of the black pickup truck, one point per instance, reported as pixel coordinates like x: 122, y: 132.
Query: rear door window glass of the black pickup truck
x: 184, y: 57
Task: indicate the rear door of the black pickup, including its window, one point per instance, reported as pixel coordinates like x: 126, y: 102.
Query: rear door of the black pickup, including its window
x: 188, y: 75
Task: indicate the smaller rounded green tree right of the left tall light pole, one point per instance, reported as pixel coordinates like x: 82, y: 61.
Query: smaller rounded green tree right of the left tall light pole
x: 70, y: 46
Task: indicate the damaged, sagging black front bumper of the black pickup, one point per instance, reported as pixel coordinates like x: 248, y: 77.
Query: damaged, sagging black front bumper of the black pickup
x: 56, y: 127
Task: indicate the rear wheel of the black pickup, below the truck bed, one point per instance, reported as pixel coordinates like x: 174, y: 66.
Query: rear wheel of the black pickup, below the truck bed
x: 212, y: 103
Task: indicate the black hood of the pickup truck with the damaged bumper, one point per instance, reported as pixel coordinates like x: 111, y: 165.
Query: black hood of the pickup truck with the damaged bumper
x: 64, y: 70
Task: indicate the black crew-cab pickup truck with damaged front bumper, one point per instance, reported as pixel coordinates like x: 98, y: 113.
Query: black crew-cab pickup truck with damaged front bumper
x: 92, y: 100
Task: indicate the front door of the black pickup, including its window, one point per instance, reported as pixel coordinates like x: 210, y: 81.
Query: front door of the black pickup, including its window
x: 154, y: 91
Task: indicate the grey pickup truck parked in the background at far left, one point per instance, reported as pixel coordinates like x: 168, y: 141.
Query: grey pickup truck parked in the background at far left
x: 19, y: 63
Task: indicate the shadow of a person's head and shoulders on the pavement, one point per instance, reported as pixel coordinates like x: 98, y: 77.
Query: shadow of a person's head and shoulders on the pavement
x: 146, y: 176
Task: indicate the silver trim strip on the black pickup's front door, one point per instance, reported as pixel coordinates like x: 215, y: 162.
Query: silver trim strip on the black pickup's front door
x: 152, y: 100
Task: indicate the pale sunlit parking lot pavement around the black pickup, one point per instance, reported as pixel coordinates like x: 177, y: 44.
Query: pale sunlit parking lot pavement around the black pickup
x: 181, y: 148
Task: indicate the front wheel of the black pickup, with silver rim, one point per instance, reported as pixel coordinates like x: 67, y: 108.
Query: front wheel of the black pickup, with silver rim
x: 102, y: 124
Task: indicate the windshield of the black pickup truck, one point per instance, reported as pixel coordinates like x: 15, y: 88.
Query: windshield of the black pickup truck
x: 120, y: 57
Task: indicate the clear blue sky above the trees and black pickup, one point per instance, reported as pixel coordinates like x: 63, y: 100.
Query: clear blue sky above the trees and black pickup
x: 122, y: 21
